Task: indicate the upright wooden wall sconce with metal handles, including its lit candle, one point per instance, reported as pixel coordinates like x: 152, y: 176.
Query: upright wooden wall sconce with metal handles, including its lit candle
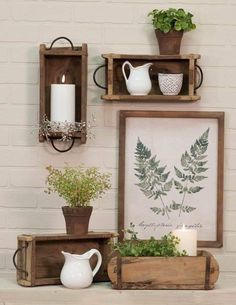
x: 63, y: 93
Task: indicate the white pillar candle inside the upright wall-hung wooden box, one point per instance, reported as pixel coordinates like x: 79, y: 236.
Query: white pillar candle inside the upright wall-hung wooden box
x: 62, y: 103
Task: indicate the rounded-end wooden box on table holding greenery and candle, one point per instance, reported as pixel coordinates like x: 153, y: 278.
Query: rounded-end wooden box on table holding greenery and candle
x: 189, y: 272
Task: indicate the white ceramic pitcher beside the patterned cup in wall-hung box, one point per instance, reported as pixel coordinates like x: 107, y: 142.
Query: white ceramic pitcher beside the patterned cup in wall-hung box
x: 139, y: 82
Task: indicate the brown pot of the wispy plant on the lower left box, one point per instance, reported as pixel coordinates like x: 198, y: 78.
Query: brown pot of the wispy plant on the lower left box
x: 77, y: 219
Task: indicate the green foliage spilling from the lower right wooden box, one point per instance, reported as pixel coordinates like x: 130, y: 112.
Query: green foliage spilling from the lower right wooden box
x: 152, y: 247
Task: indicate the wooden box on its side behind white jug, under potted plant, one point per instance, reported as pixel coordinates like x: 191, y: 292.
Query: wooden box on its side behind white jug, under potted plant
x: 39, y: 260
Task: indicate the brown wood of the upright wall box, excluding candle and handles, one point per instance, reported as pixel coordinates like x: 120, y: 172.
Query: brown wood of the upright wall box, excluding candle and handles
x: 53, y: 63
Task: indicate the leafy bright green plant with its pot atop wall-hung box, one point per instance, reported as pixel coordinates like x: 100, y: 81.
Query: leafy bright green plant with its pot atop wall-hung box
x: 169, y: 27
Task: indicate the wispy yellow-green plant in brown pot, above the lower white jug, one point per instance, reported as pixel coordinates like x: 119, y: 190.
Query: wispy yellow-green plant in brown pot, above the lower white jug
x: 78, y: 186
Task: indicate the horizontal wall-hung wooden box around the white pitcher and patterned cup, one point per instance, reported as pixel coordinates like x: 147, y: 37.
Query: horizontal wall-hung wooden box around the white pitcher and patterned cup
x: 116, y: 86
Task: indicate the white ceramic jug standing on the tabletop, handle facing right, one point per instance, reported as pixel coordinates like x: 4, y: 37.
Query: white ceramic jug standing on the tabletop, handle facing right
x: 76, y: 272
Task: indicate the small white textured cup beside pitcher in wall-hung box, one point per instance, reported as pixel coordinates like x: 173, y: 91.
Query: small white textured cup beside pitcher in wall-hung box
x: 170, y: 84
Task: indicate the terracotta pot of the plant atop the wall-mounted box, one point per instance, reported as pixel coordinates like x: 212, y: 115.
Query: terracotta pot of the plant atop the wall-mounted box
x: 169, y: 43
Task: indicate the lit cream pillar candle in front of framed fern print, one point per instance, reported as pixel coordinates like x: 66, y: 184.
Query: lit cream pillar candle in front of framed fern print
x: 188, y: 240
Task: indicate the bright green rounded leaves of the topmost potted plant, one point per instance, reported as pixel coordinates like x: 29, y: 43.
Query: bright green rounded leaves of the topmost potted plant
x: 172, y: 19
